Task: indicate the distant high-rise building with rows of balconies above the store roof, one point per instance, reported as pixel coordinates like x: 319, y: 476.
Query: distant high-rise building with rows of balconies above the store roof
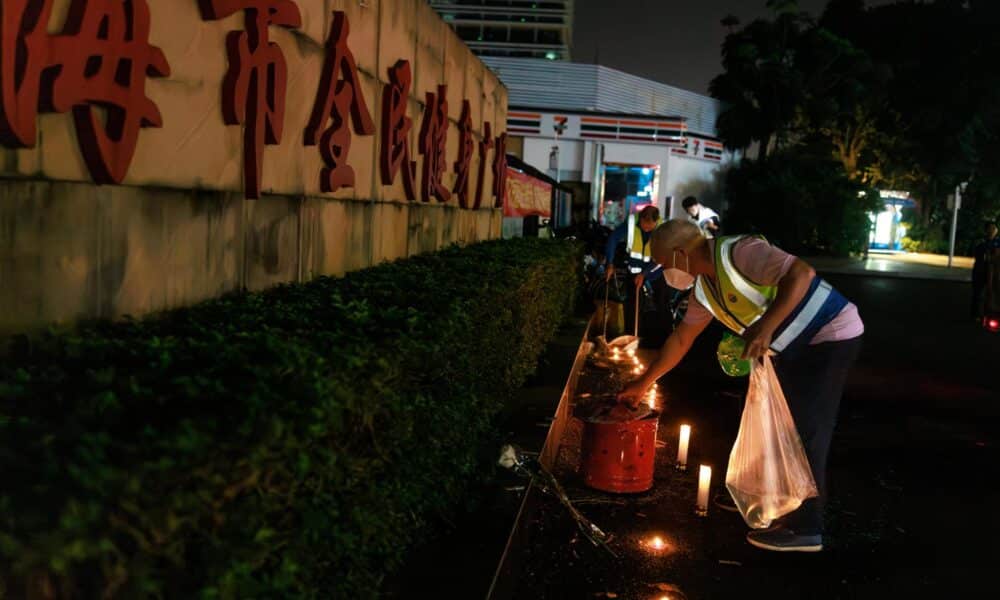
x: 515, y: 28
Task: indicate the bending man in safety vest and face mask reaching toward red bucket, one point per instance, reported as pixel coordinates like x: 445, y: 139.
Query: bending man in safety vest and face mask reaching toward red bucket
x: 776, y: 303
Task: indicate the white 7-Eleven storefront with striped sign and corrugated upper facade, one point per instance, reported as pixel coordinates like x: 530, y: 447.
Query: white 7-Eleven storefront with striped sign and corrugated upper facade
x: 621, y: 141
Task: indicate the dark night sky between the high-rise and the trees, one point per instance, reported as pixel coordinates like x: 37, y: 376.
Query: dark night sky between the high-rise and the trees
x: 672, y: 41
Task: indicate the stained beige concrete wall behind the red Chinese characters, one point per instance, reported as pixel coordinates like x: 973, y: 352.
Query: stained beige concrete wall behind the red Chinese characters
x: 179, y: 230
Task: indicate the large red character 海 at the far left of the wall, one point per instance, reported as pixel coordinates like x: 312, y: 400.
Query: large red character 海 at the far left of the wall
x: 101, y: 59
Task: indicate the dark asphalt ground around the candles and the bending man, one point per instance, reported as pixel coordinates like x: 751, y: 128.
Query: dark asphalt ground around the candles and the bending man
x: 913, y: 475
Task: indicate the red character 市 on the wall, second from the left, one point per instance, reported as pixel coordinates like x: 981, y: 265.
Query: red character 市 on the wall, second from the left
x: 253, y: 93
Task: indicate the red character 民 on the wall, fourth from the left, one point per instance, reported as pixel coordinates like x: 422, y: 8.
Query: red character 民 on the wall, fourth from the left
x: 396, y: 129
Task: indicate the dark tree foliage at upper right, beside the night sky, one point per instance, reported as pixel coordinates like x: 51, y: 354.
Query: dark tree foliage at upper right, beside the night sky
x: 901, y: 96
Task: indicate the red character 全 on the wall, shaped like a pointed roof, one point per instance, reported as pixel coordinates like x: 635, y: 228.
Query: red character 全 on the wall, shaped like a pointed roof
x: 339, y: 95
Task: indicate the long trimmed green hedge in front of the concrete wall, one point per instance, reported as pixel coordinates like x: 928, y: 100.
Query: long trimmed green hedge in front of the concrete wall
x: 293, y: 443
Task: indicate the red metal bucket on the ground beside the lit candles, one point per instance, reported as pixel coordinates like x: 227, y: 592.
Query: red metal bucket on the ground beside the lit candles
x: 619, y: 457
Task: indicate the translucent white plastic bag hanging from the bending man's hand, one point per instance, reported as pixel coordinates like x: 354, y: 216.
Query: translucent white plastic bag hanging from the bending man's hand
x: 769, y: 474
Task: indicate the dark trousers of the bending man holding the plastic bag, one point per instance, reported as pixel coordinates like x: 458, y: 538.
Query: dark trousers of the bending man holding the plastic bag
x: 813, y: 382
